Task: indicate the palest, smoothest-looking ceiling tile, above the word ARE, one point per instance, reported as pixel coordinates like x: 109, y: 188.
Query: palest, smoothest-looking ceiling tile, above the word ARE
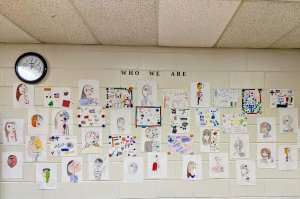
x: 193, y: 23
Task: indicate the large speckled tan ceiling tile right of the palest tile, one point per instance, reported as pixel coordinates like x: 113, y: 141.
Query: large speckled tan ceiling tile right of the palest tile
x: 259, y: 23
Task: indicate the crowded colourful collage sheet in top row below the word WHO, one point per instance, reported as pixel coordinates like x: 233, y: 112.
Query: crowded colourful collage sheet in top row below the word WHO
x: 119, y: 97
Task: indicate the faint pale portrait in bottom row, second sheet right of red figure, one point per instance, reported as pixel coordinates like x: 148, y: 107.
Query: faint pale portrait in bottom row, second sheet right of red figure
x: 218, y: 165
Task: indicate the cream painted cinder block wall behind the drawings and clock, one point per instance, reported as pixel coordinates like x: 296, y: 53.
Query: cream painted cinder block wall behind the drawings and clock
x: 221, y: 67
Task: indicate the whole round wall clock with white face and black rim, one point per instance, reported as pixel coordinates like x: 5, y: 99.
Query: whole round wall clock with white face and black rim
x: 31, y: 67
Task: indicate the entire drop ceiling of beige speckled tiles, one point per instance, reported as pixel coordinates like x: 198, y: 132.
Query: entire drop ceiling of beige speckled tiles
x: 174, y: 23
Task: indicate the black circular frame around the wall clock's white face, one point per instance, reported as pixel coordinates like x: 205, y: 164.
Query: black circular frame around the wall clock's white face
x: 44, y: 71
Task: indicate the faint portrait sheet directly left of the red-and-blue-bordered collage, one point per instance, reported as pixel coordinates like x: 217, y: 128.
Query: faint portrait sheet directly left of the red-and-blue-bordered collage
x: 120, y: 121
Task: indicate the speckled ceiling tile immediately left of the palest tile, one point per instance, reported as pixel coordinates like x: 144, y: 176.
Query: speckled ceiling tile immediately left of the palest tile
x: 121, y: 22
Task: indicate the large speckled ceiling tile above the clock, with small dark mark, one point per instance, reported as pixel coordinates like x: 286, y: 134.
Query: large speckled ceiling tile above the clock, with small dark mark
x: 50, y: 21
